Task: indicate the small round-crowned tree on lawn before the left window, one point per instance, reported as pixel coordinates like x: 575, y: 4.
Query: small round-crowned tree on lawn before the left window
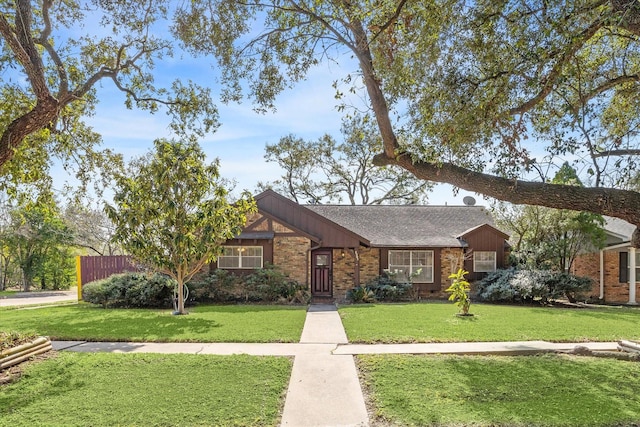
x: 172, y: 213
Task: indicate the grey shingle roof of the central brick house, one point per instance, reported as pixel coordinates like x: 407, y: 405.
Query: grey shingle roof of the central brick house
x: 407, y: 225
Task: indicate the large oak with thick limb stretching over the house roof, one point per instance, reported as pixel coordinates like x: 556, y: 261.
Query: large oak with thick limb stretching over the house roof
x: 494, y: 92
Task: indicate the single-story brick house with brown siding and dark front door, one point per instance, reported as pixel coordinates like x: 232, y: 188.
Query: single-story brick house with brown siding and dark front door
x: 333, y: 248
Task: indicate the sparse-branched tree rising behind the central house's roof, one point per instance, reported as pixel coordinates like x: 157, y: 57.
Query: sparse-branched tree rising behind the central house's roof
x: 328, y: 171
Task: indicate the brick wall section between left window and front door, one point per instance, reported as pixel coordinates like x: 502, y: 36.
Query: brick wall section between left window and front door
x: 290, y: 253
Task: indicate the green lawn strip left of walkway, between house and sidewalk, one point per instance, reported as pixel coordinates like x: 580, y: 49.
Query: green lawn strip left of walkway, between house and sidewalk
x: 236, y: 323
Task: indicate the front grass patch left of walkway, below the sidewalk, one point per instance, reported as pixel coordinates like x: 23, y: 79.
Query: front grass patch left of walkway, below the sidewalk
x: 83, y: 389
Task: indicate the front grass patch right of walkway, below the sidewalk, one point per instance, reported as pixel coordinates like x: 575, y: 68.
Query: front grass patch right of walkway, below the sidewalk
x: 549, y: 390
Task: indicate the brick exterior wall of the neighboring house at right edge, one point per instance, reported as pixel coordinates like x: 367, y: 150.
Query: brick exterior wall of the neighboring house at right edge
x: 589, y: 265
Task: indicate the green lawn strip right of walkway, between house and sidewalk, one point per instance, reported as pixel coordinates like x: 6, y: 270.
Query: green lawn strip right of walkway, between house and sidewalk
x: 437, y: 322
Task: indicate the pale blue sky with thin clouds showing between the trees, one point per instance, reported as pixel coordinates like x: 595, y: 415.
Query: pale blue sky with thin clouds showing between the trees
x: 308, y: 111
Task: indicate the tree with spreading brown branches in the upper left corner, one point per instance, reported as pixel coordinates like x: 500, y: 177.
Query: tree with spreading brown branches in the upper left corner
x: 53, y: 57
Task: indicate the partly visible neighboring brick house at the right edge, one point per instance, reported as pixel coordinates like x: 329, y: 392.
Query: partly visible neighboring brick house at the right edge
x: 611, y: 268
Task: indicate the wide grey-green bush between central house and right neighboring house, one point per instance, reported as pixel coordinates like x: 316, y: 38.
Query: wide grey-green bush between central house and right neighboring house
x: 527, y: 285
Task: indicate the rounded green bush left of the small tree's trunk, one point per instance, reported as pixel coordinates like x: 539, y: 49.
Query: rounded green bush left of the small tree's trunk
x: 135, y: 290
